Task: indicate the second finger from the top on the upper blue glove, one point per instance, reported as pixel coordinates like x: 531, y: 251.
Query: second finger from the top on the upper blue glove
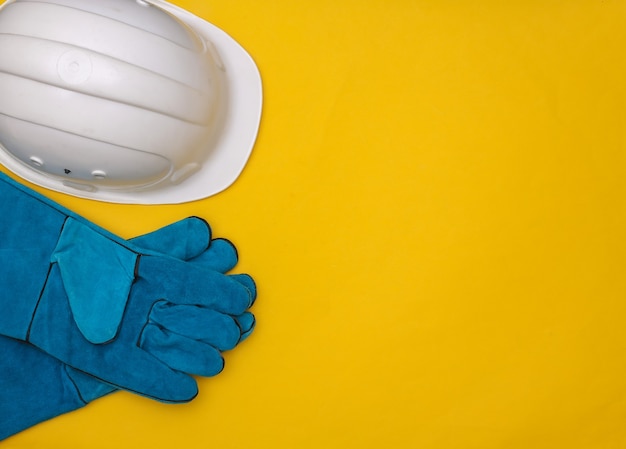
x: 217, y: 329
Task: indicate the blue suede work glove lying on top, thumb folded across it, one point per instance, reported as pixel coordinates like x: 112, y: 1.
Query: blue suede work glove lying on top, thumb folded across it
x: 133, y: 318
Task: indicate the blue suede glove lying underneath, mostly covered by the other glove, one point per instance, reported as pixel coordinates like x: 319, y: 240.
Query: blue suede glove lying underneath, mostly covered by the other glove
x: 37, y: 387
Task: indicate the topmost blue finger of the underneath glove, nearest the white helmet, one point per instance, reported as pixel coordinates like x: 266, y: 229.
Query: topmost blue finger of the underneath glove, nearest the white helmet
x: 184, y: 239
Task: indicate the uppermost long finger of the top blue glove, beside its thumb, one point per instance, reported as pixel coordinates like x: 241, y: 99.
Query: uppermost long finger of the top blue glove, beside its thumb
x: 185, y: 283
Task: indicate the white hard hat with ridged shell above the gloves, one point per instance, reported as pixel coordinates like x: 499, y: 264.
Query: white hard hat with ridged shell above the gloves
x: 126, y: 101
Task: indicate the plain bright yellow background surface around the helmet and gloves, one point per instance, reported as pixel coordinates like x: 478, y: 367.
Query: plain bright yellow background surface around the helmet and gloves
x: 435, y: 216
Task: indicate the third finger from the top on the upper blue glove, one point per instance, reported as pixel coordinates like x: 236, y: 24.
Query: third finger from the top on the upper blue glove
x: 181, y: 353
